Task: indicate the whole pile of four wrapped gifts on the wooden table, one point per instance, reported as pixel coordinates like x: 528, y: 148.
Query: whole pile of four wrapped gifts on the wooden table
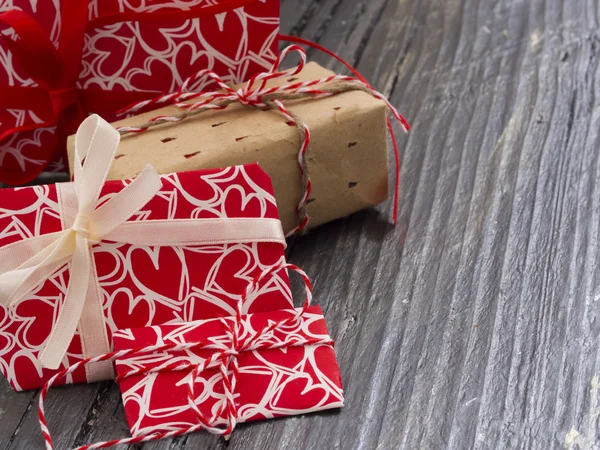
x: 162, y: 263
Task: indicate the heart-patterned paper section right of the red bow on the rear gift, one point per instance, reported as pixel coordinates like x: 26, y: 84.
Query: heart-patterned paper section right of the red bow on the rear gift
x: 157, y: 56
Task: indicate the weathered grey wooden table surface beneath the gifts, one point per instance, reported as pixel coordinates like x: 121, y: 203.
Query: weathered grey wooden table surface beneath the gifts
x: 473, y: 323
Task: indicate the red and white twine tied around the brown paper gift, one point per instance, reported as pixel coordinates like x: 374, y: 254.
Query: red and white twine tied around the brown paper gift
x: 252, y: 95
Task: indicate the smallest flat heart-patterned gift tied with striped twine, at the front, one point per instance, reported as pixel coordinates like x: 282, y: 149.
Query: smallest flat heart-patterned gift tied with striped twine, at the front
x: 215, y: 383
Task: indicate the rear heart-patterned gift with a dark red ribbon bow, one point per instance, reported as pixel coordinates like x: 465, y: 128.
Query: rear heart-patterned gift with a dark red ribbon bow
x: 61, y: 60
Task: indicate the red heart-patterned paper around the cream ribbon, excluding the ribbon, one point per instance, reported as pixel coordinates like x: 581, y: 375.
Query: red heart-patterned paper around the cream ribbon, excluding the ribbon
x: 143, y: 285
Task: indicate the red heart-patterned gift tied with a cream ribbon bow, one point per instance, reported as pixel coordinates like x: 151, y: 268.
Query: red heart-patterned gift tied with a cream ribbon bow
x: 80, y: 260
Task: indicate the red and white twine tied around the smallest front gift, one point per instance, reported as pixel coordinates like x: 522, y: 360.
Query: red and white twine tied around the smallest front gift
x: 224, y: 358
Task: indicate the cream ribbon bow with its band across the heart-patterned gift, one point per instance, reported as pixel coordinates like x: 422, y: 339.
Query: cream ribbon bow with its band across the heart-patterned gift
x: 27, y: 264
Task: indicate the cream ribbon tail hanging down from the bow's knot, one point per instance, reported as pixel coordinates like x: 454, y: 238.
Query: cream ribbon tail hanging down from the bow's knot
x: 81, y: 276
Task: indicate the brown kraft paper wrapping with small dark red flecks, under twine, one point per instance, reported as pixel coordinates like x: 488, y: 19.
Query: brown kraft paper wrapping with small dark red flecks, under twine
x: 347, y: 157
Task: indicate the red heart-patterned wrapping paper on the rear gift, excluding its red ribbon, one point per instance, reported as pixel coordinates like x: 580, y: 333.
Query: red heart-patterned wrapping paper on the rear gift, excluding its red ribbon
x: 139, y: 56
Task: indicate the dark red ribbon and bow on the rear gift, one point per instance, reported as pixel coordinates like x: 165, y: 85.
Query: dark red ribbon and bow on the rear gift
x: 56, y: 99
